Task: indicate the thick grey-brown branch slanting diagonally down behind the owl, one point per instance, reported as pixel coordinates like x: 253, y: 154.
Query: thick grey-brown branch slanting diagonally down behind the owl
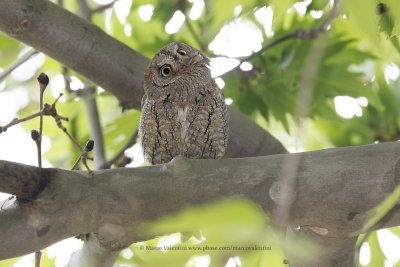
x: 112, y: 65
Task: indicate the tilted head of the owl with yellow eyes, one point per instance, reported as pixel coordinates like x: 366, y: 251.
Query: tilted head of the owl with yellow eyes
x: 174, y: 62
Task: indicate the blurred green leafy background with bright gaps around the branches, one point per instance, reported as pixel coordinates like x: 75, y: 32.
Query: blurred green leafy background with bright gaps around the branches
x: 354, y: 100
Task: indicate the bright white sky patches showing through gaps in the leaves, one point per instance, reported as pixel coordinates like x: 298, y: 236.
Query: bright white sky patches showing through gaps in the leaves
x: 236, y: 39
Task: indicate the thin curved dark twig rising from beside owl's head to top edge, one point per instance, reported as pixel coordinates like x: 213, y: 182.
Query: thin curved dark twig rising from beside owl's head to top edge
x: 297, y: 34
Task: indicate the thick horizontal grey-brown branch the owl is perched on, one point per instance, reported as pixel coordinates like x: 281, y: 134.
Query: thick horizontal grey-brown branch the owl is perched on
x: 341, y: 185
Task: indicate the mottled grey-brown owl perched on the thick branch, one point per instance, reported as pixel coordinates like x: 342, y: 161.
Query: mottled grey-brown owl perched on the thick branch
x: 183, y: 110
